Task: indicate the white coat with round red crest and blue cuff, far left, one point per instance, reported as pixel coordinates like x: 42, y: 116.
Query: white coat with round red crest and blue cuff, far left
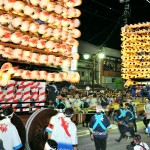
x: 9, y: 135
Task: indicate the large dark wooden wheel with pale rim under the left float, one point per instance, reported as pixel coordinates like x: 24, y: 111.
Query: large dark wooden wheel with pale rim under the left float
x: 35, y: 128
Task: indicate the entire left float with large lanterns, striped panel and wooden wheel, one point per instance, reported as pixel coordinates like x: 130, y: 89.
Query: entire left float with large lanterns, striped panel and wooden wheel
x: 38, y: 44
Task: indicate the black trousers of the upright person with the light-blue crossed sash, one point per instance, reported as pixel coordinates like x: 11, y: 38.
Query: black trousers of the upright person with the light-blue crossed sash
x: 100, y: 144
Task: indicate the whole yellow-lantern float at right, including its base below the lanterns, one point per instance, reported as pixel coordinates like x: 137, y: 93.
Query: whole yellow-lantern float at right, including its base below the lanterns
x: 136, y: 60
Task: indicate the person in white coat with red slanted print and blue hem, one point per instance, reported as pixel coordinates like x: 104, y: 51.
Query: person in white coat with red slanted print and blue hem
x: 64, y: 131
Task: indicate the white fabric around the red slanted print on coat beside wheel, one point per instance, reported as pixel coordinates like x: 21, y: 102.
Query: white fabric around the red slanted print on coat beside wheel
x: 59, y: 134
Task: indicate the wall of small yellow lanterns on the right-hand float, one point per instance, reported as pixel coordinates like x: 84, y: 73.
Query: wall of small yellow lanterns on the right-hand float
x: 135, y: 52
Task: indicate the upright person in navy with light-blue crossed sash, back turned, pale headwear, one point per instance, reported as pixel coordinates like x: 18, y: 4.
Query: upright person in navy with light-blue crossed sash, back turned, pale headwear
x: 98, y: 128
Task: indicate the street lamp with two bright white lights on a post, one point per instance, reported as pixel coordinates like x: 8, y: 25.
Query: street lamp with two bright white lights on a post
x: 100, y: 55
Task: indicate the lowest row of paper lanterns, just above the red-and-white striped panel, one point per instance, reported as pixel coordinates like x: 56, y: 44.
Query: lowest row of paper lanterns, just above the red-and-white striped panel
x: 7, y: 70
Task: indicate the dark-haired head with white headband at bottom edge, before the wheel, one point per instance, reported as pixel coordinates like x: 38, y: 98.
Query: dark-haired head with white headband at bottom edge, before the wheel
x: 50, y: 145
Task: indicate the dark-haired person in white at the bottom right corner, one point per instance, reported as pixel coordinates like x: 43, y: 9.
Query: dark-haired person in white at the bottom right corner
x: 137, y: 144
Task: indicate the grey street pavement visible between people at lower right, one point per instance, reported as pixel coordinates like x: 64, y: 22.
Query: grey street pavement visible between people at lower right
x: 85, y: 142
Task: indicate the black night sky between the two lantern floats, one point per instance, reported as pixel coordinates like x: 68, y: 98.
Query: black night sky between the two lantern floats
x: 101, y: 20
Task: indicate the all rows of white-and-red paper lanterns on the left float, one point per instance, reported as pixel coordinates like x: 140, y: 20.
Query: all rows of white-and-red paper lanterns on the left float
x: 40, y: 32
